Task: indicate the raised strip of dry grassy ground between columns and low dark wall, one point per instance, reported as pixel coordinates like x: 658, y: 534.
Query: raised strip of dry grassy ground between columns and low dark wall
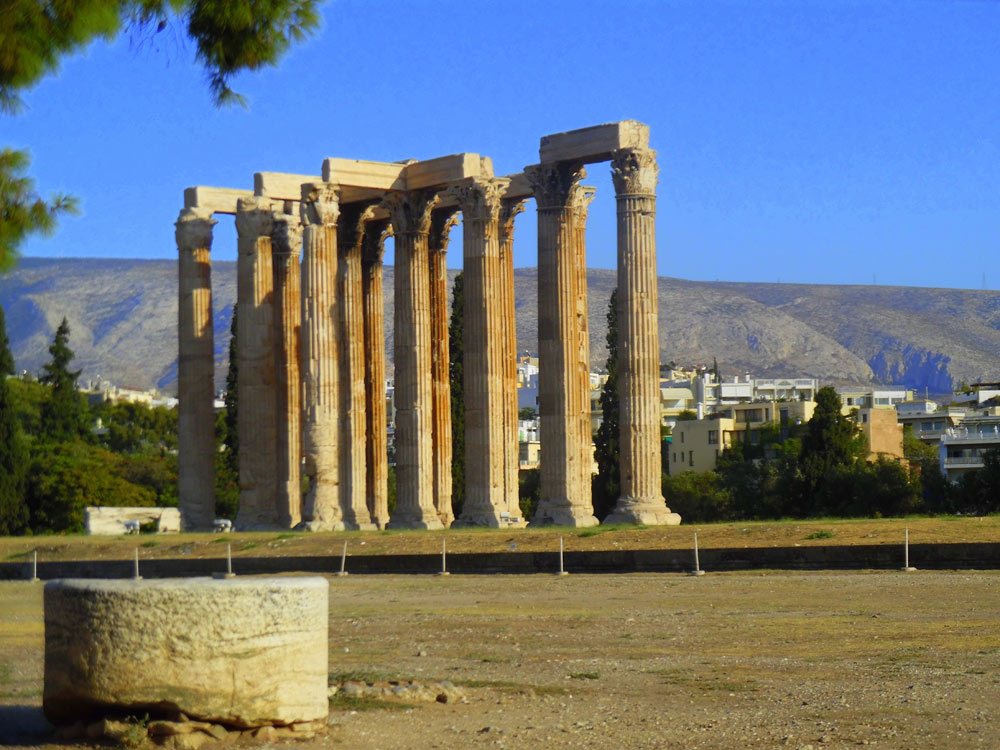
x: 723, y: 535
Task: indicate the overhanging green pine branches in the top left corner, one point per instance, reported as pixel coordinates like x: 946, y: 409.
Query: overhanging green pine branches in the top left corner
x: 228, y: 38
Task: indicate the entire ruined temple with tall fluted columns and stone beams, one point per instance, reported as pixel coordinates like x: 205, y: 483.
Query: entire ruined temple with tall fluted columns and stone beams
x: 312, y: 357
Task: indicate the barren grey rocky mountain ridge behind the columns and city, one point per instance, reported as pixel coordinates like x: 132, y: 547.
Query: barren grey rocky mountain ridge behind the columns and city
x: 123, y: 318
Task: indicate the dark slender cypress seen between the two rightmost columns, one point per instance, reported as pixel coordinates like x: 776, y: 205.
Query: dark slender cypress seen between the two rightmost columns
x: 607, y: 483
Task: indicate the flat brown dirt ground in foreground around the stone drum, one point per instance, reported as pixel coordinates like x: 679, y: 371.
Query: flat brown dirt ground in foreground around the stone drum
x: 801, y: 660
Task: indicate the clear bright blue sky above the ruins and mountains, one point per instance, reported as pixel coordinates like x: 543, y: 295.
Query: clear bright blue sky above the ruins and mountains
x: 824, y: 142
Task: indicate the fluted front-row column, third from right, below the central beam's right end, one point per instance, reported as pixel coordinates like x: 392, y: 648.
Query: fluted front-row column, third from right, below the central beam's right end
x: 483, y: 342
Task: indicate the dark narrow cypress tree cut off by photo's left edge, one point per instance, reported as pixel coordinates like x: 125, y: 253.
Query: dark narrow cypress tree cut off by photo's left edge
x: 13, y: 454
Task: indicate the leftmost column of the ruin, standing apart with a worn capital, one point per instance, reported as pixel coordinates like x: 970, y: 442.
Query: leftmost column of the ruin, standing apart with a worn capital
x: 195, y: 371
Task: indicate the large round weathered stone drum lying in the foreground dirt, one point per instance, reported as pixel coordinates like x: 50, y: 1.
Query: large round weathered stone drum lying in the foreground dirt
x: 243, y: 652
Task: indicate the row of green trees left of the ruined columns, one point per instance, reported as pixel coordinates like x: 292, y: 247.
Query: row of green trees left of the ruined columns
x: 59, y: 455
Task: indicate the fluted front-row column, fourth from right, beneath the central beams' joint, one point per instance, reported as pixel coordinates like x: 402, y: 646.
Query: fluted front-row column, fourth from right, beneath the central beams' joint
x: 410, y: 214
